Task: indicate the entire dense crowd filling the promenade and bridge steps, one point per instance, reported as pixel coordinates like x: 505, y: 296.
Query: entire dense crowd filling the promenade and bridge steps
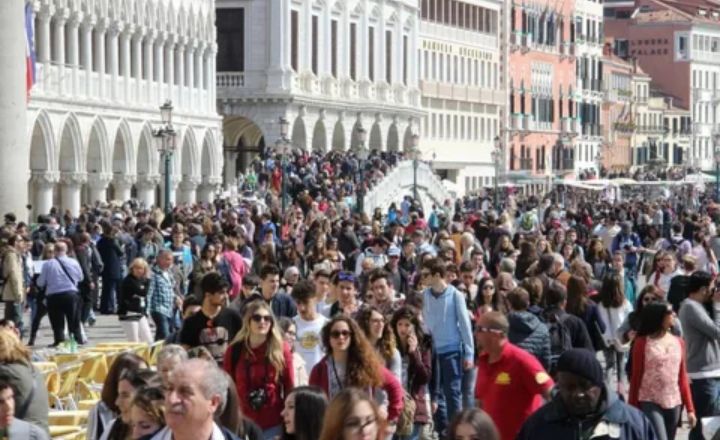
x: 532, y: 320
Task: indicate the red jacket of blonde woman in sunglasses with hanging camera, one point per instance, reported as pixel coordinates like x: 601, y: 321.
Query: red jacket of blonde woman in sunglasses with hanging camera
x: 262, y: 374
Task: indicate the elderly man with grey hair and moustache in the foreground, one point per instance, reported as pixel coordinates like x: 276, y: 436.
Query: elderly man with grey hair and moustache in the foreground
x: 197, y: 389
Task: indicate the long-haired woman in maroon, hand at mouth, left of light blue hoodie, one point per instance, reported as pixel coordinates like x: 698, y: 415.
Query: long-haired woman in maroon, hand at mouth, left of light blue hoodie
x: 415, y: 350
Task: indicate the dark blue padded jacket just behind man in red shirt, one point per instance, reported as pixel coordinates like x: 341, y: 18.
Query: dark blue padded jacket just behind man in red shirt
x: 532, y: 335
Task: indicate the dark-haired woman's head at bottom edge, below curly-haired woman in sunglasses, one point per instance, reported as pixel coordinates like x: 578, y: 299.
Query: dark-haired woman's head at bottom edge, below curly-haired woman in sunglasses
x: 304, y: 413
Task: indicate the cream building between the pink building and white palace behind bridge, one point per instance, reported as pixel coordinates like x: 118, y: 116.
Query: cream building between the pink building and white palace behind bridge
x: 463, y: 87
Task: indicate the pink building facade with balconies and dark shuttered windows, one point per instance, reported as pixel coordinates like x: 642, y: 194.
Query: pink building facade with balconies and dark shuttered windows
x: 542, y: 114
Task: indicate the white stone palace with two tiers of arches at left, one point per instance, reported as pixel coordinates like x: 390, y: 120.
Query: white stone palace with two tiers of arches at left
x: 103, y: 69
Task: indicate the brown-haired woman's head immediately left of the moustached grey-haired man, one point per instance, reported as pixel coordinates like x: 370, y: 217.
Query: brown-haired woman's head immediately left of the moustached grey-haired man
x: 147, y: 412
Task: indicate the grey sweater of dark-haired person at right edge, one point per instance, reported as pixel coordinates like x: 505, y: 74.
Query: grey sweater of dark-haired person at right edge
x: 702, y: 339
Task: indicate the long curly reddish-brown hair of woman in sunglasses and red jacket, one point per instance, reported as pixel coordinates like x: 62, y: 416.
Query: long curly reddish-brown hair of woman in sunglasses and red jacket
x: 364, y: 365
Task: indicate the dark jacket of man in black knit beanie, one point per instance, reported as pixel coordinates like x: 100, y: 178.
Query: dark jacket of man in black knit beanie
x: 552, y: 422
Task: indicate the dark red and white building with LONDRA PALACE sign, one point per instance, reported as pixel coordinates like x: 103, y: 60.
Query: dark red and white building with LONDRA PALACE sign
x: 677, y: 44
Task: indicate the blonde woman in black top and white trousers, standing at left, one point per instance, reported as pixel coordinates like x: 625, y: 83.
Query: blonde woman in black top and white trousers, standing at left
x: 132, y: 302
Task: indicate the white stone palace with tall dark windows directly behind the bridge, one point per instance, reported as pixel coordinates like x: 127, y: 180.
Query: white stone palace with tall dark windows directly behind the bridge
x: 329, y: 67
